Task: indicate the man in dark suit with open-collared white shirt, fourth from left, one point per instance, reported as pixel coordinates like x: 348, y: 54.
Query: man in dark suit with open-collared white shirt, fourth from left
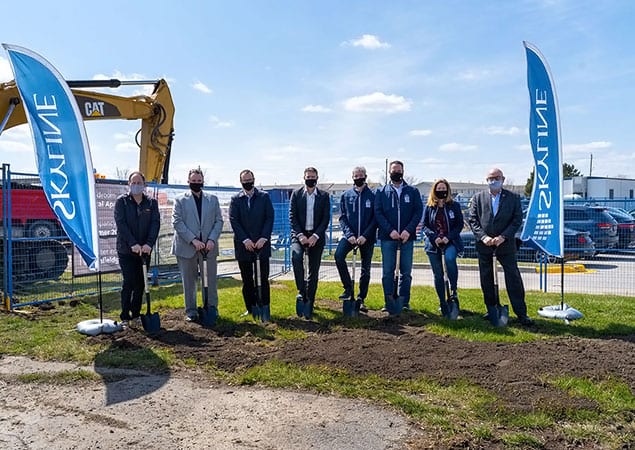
x: 309, y: 215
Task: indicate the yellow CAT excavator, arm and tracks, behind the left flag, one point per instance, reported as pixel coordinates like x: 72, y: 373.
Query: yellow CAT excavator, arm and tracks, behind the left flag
x: 47, y: 258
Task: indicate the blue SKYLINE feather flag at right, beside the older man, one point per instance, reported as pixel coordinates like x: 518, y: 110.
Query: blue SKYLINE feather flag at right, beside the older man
x: 544, y: 220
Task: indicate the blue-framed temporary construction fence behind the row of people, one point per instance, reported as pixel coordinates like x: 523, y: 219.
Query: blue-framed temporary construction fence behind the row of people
x: 40, y: 264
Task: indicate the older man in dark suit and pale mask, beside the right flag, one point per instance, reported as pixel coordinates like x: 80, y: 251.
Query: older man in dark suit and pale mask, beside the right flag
x: 495, y: 216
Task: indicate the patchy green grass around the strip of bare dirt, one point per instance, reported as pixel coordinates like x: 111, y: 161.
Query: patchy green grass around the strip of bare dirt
x: 457, y: 411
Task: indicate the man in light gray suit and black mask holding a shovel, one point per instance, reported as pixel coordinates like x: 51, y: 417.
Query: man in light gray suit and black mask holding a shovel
x: 198, y: 222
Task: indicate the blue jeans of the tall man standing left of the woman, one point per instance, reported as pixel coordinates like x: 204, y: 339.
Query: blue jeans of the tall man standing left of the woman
x: 389, y: 263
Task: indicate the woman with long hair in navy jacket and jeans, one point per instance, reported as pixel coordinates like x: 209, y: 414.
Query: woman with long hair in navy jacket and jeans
x: 442, y: 225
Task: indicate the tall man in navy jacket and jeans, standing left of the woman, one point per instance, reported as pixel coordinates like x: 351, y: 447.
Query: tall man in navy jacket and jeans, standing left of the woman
x: 398, y: 209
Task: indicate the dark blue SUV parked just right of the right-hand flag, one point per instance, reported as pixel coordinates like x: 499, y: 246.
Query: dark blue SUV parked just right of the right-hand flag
x: 597, y: 221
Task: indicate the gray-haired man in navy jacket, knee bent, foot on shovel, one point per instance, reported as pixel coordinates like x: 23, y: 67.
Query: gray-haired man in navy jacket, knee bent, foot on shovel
x: 359, y: 228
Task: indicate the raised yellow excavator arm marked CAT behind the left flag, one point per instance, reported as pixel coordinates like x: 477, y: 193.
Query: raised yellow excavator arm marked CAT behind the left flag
x: 156, y: 112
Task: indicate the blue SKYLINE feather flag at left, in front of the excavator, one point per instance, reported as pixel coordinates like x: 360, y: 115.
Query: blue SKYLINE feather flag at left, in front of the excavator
x: 61, y: 146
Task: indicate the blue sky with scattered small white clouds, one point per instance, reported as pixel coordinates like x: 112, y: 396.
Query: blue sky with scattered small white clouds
x: 276, y: 86
